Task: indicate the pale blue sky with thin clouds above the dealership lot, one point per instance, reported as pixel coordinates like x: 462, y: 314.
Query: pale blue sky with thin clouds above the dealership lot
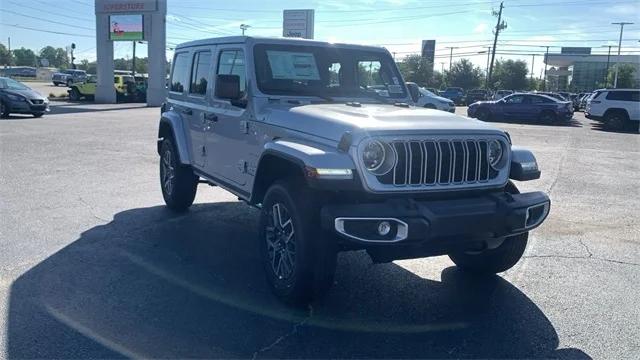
x: 398, y: 25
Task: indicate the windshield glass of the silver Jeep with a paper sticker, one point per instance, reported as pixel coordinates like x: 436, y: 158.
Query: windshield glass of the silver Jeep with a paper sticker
x: 328, y: 71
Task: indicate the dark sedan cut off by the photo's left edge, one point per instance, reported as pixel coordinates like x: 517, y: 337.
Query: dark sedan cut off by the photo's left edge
x: 17, y: 98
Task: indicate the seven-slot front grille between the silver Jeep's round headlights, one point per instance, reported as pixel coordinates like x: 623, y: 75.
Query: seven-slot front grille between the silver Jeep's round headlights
x: 439, y: 162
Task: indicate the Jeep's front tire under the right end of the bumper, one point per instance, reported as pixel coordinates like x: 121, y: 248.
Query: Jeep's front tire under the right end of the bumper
x: 493, y: 261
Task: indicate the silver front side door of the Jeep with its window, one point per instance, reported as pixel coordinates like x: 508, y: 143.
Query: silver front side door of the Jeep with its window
x: 227, y: 138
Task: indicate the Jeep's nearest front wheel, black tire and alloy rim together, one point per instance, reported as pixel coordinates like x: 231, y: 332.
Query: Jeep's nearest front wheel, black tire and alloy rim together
x: 299, y: 266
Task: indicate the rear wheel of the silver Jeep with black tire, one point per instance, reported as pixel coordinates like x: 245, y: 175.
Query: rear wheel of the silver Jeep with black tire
x: 177, y: 181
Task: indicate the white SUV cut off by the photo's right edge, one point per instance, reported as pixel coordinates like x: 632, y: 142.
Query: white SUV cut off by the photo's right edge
x: 617, y: 108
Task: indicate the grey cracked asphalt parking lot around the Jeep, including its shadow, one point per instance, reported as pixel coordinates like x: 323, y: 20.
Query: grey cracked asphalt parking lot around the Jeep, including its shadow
x: 93, y: 265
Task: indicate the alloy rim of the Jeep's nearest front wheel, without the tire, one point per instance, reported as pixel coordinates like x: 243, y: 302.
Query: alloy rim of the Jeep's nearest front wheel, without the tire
x: 280, y: 238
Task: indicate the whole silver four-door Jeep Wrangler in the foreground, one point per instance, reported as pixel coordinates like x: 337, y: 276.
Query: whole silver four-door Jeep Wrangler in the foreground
x: 322, y: 138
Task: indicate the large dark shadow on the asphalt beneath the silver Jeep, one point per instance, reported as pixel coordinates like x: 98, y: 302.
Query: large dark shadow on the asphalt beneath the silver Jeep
x: 154, y: 284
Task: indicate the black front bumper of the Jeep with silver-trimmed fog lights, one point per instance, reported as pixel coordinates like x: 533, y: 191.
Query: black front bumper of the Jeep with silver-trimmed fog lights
x: 437, y: 226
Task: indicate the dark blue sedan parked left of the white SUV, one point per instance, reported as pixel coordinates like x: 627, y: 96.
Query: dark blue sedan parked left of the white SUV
x: 522, y: 107
